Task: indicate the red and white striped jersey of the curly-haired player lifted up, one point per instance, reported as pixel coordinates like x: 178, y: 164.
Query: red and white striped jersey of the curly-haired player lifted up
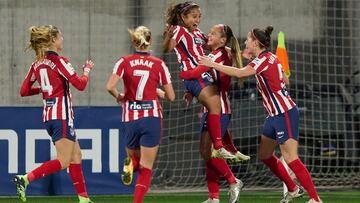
x: 188, y: 46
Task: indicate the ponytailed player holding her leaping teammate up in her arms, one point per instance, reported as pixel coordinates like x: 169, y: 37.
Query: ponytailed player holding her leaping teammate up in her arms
x: 219, y: 36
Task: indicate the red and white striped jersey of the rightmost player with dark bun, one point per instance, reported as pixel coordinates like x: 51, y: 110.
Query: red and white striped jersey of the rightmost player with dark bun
x: 269, y: 78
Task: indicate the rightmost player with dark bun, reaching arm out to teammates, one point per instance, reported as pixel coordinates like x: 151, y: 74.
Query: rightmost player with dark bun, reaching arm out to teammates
x: 281, y: 126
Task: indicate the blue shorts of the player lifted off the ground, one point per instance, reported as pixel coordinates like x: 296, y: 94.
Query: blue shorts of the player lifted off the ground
x: 196, y: 85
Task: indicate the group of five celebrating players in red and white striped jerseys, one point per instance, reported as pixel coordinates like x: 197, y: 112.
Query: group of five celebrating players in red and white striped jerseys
x: 207, y: 78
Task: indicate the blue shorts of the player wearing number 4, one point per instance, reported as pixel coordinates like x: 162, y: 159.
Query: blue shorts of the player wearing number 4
x: 58, y: 129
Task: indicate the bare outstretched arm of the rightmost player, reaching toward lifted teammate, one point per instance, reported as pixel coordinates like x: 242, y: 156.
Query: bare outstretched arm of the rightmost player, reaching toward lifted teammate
x: 228, y: 70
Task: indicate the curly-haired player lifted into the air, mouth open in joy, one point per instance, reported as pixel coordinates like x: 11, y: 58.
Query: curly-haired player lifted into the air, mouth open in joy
x: 187, y: 39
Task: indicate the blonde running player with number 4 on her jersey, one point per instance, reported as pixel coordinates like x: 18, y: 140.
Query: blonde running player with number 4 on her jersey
x: 54, y: 74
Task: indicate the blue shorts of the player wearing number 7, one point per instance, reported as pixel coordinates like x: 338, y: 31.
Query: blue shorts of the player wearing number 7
x: 145, y: 132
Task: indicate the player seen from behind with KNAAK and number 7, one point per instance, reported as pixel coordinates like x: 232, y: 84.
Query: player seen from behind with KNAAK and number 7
x: 142, y: 115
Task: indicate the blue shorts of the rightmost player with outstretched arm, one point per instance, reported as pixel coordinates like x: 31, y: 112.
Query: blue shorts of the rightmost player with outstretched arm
x: 283, y: 126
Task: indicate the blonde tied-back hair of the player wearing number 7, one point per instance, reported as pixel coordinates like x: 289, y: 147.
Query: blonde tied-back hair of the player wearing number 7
x: 140, y: 37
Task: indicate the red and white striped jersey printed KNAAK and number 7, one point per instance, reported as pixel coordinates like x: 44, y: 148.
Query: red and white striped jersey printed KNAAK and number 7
x: 142, y: 73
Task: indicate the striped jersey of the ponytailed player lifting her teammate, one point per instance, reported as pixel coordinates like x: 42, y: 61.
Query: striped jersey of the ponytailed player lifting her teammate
x: 223, y: 81
